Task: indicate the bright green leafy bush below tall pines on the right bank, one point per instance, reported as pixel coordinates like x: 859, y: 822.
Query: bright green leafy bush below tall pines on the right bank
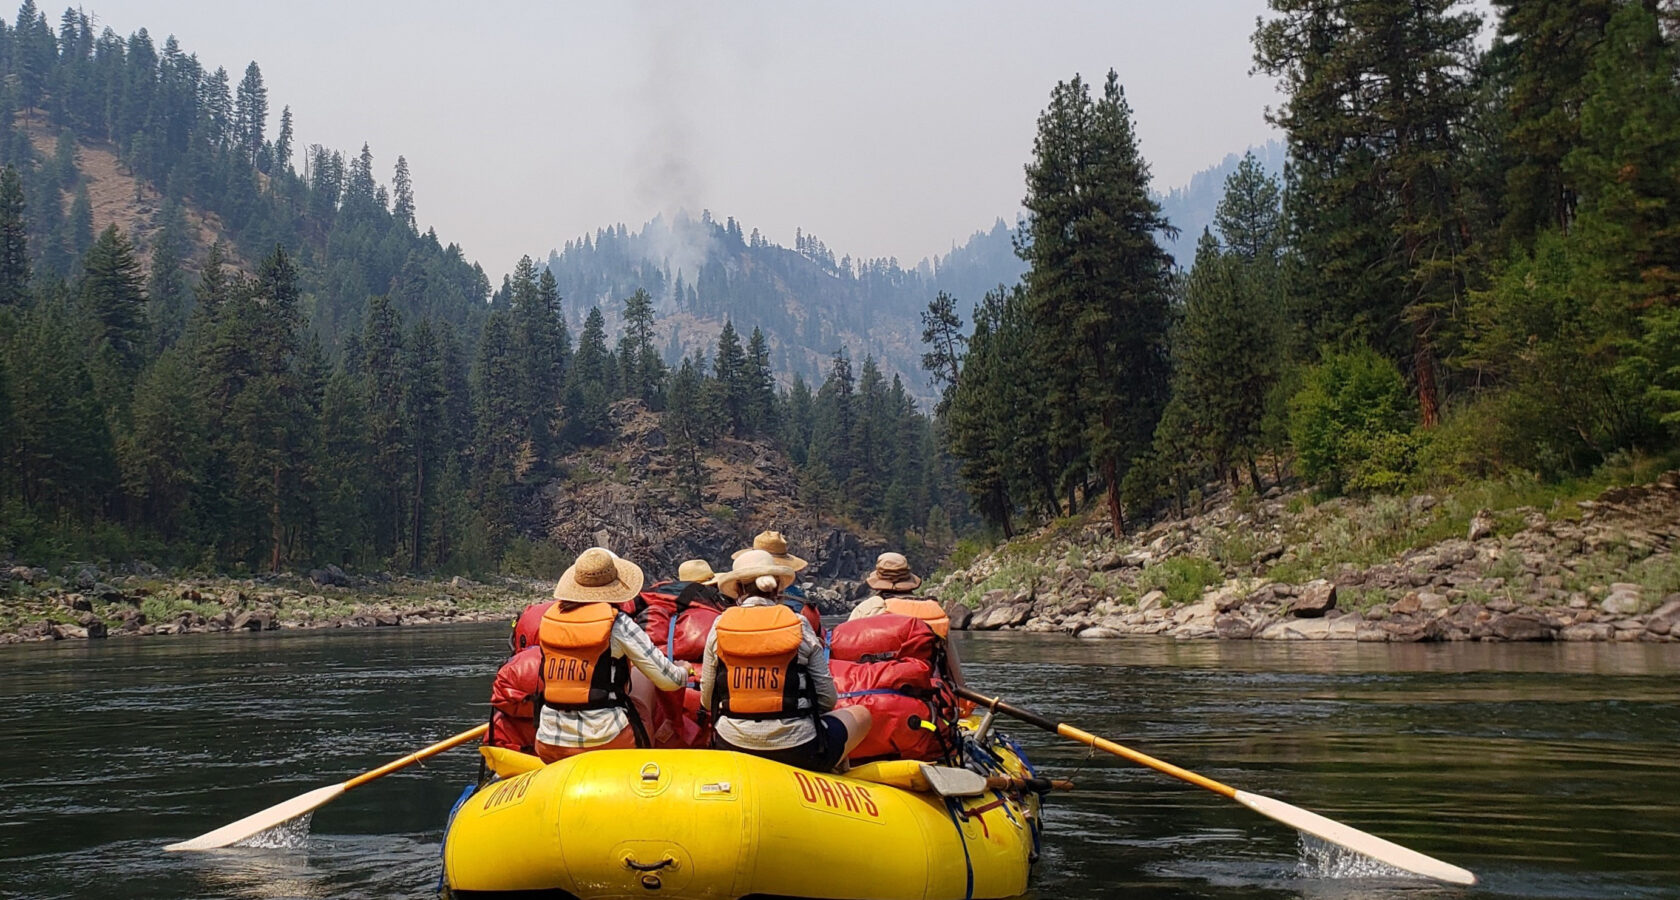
x: 1352, y: 424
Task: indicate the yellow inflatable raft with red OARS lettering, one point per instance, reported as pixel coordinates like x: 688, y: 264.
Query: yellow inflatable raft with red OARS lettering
x: 715, y: 825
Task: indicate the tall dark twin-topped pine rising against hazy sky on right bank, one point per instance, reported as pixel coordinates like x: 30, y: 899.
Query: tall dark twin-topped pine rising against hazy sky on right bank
x: 1098, y: 288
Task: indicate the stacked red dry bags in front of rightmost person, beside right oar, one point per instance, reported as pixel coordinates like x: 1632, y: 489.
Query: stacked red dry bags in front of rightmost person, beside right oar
x: 895, y: 667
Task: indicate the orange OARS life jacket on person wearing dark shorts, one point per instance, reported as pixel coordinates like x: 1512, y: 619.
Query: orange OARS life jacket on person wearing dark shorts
x: 760, y: 674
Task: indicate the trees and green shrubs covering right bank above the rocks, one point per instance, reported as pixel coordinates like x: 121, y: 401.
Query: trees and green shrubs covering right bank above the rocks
x: 1464, y: 285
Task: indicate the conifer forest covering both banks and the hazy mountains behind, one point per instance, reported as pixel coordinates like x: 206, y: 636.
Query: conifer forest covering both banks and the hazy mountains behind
x: 1469, y: 268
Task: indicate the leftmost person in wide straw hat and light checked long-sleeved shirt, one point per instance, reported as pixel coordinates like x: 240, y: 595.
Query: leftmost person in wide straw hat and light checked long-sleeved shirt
x: 589, y: 649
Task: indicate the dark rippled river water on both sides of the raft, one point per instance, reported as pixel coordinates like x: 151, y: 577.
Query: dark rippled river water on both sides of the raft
x: 1553, y: 772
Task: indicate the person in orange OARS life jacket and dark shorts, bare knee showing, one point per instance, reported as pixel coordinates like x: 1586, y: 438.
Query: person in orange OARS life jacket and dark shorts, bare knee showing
x: 765, y: 676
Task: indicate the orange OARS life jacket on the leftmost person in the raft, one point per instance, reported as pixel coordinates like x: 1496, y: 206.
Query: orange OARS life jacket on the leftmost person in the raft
x: 579, y: 666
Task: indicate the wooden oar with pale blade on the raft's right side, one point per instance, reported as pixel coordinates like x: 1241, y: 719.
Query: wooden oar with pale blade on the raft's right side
x: 1293, y: 817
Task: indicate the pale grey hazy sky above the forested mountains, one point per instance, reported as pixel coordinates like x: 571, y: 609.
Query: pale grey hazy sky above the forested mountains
x: 886, y: 128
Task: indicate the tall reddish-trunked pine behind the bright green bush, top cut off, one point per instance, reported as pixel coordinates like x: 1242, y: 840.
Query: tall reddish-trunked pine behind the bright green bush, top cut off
x: 1378, y: 98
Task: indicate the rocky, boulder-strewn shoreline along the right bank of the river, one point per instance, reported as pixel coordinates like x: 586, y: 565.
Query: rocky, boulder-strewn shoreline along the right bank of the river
x: 1600, y: 570
